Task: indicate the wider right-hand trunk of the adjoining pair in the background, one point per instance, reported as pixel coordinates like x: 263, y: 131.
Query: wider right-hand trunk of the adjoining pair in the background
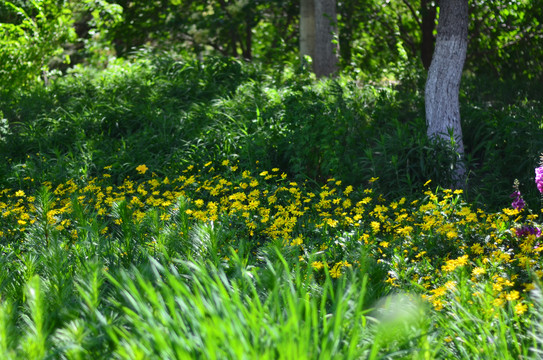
x: 326, y: 49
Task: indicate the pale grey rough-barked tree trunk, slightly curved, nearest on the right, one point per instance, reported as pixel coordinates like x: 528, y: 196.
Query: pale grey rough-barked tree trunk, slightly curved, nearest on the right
x: 443, y: 82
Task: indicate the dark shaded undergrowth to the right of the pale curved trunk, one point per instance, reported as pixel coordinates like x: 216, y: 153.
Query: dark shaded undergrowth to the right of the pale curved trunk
x: 500, y: 128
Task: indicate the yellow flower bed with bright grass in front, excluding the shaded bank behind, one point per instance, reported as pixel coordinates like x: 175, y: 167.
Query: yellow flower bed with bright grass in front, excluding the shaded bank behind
x: 102, y: 270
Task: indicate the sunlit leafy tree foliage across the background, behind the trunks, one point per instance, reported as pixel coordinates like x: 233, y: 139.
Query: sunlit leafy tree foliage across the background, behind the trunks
x: 374, y: 37
